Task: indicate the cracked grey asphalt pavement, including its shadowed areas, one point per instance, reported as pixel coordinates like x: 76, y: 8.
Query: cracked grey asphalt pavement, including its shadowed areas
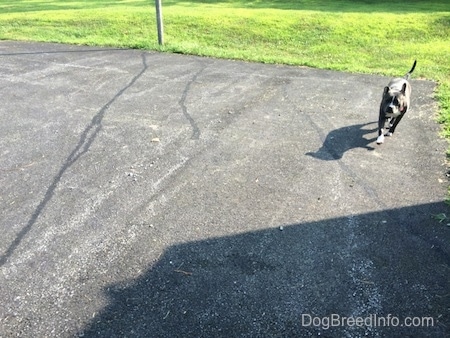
x: 160, y: 195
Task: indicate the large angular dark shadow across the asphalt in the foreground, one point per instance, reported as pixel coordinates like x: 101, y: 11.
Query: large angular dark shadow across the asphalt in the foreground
x: 261, y: 284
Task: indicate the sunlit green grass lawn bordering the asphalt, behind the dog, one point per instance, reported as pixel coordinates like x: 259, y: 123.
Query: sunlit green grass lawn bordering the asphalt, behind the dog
x: 365, y: 36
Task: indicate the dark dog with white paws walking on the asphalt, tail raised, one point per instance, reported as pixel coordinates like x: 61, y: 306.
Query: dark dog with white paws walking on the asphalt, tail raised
x: 394, y: 104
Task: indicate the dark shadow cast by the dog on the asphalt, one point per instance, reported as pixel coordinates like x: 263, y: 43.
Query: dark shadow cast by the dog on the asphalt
x: 338, y: 141
